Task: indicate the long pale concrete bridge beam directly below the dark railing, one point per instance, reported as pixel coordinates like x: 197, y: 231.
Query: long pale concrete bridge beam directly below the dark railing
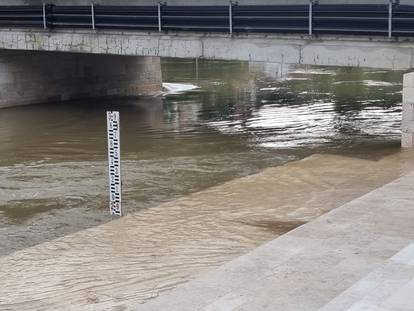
x: 328, y: 51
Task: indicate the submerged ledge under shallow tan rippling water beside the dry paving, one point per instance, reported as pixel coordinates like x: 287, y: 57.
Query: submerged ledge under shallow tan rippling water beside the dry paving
x: 126, y: 262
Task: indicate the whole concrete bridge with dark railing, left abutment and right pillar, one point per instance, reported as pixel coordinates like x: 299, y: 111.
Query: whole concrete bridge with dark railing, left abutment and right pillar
x: 102, y: 61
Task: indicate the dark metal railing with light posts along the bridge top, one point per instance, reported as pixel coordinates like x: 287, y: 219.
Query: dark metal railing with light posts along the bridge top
x: 389, y: 19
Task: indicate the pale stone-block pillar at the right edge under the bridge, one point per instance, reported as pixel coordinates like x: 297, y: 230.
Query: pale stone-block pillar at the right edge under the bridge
x: 407, y: 140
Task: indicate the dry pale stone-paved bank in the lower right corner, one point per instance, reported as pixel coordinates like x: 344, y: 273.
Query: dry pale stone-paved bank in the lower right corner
x: 359, y: 256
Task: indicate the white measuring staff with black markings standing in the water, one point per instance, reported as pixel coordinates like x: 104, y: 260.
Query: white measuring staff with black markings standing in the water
x: 114, y: 163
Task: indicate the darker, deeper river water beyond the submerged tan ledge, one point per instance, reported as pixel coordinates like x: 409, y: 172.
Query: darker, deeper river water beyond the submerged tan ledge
x: 242, y: 119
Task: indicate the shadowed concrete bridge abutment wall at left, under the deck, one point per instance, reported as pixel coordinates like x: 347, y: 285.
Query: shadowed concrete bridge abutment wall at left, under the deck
x: 28, y: 77
